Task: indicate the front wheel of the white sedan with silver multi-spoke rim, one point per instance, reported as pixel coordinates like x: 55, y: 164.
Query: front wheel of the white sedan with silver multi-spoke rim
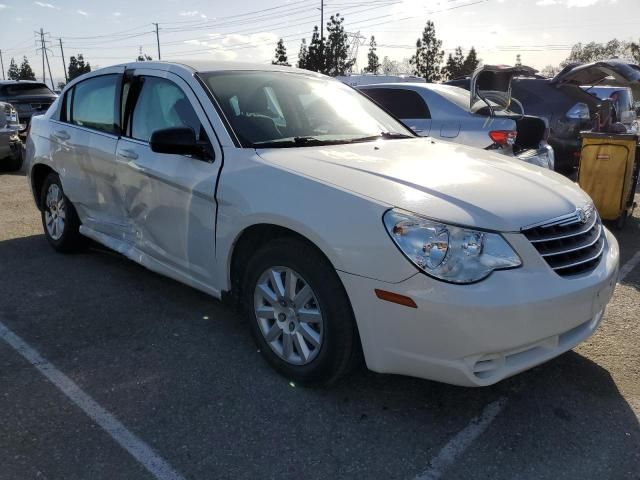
x: 324, y: 322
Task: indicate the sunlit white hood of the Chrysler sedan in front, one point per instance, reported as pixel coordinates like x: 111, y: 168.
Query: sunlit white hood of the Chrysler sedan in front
x: 440, y: 180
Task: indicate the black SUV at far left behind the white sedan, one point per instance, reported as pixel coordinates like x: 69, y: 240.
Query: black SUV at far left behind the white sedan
x: 28, y: 98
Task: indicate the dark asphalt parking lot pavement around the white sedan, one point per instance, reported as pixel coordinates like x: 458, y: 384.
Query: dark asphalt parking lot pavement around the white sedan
x: 180, y: 374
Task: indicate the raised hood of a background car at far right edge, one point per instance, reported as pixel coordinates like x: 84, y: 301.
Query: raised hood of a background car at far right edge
x: 608, y: 72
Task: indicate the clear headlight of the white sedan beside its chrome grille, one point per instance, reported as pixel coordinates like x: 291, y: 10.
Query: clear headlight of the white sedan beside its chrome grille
x: 449, y: 253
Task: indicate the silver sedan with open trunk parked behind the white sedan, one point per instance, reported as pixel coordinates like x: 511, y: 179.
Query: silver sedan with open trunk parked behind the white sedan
x: 483, y: 119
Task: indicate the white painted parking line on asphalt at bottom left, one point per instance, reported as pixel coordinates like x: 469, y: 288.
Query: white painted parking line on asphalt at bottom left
x: 110, y: 424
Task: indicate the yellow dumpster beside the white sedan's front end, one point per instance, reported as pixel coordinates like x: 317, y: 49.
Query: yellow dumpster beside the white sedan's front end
x: 608, y: 172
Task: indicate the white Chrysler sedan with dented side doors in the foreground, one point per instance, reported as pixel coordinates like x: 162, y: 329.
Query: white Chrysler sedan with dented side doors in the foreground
x: 332, y: 225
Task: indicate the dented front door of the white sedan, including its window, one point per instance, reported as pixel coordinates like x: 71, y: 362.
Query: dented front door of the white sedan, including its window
x: 169, y: 199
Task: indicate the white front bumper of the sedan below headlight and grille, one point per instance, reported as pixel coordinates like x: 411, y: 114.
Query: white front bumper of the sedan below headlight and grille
x: 479, y: 334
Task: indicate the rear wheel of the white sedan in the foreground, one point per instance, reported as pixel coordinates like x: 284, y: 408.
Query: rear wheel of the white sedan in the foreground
x: 59, y: 218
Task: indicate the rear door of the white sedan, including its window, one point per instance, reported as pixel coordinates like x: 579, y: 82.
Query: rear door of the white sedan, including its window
x: 85, y: 138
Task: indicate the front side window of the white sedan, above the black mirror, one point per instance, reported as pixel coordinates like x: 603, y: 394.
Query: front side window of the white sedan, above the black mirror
x: 162, y: 104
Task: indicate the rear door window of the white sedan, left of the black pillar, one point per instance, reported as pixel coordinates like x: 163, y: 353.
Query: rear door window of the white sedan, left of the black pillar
x: 94, y: 103
